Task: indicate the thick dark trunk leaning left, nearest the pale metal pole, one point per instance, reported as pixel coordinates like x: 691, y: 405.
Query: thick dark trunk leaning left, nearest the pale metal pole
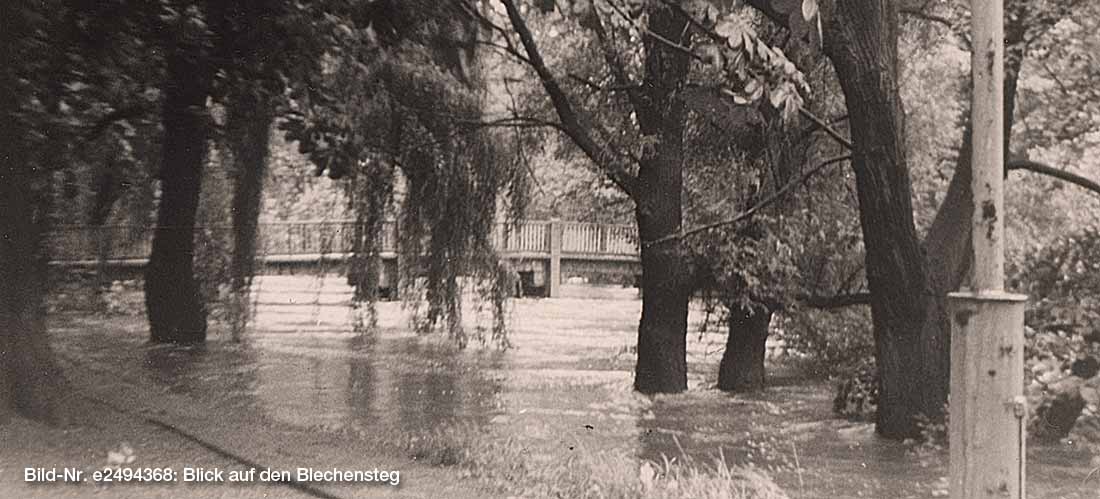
x: 863, y: 45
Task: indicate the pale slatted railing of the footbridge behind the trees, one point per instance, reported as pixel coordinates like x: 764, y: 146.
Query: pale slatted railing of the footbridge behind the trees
x: 89, y: 243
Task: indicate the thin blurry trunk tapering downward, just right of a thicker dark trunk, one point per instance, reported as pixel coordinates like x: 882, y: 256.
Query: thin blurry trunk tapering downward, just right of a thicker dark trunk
x: 249, y: 123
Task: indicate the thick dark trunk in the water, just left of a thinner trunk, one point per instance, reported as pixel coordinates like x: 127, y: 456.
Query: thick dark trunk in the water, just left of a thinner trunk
x: 177, y: 313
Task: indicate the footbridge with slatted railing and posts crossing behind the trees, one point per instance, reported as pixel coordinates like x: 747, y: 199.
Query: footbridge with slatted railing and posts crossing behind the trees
x: 544, y: 253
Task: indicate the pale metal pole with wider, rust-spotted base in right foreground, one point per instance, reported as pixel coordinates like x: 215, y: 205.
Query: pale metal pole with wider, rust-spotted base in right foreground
x: 988, y: 412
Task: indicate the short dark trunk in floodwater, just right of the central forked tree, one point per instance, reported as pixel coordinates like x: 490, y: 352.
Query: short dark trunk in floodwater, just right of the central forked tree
x: 742, y: 368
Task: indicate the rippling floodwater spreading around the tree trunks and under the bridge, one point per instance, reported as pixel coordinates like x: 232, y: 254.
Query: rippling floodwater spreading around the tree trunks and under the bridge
x: 565, y: 387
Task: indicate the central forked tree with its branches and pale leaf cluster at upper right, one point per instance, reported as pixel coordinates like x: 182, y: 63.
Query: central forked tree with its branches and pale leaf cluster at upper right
x: 654, y: 117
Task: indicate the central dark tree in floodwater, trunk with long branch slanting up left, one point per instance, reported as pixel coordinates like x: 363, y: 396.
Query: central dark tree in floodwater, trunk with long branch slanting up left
x: 656, y: 187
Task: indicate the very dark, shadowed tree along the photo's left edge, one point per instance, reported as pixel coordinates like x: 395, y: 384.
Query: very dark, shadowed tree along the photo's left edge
x: 35, y: 137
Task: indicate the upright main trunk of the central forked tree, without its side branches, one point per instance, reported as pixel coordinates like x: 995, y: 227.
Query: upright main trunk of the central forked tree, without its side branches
x: 663, y: 334
